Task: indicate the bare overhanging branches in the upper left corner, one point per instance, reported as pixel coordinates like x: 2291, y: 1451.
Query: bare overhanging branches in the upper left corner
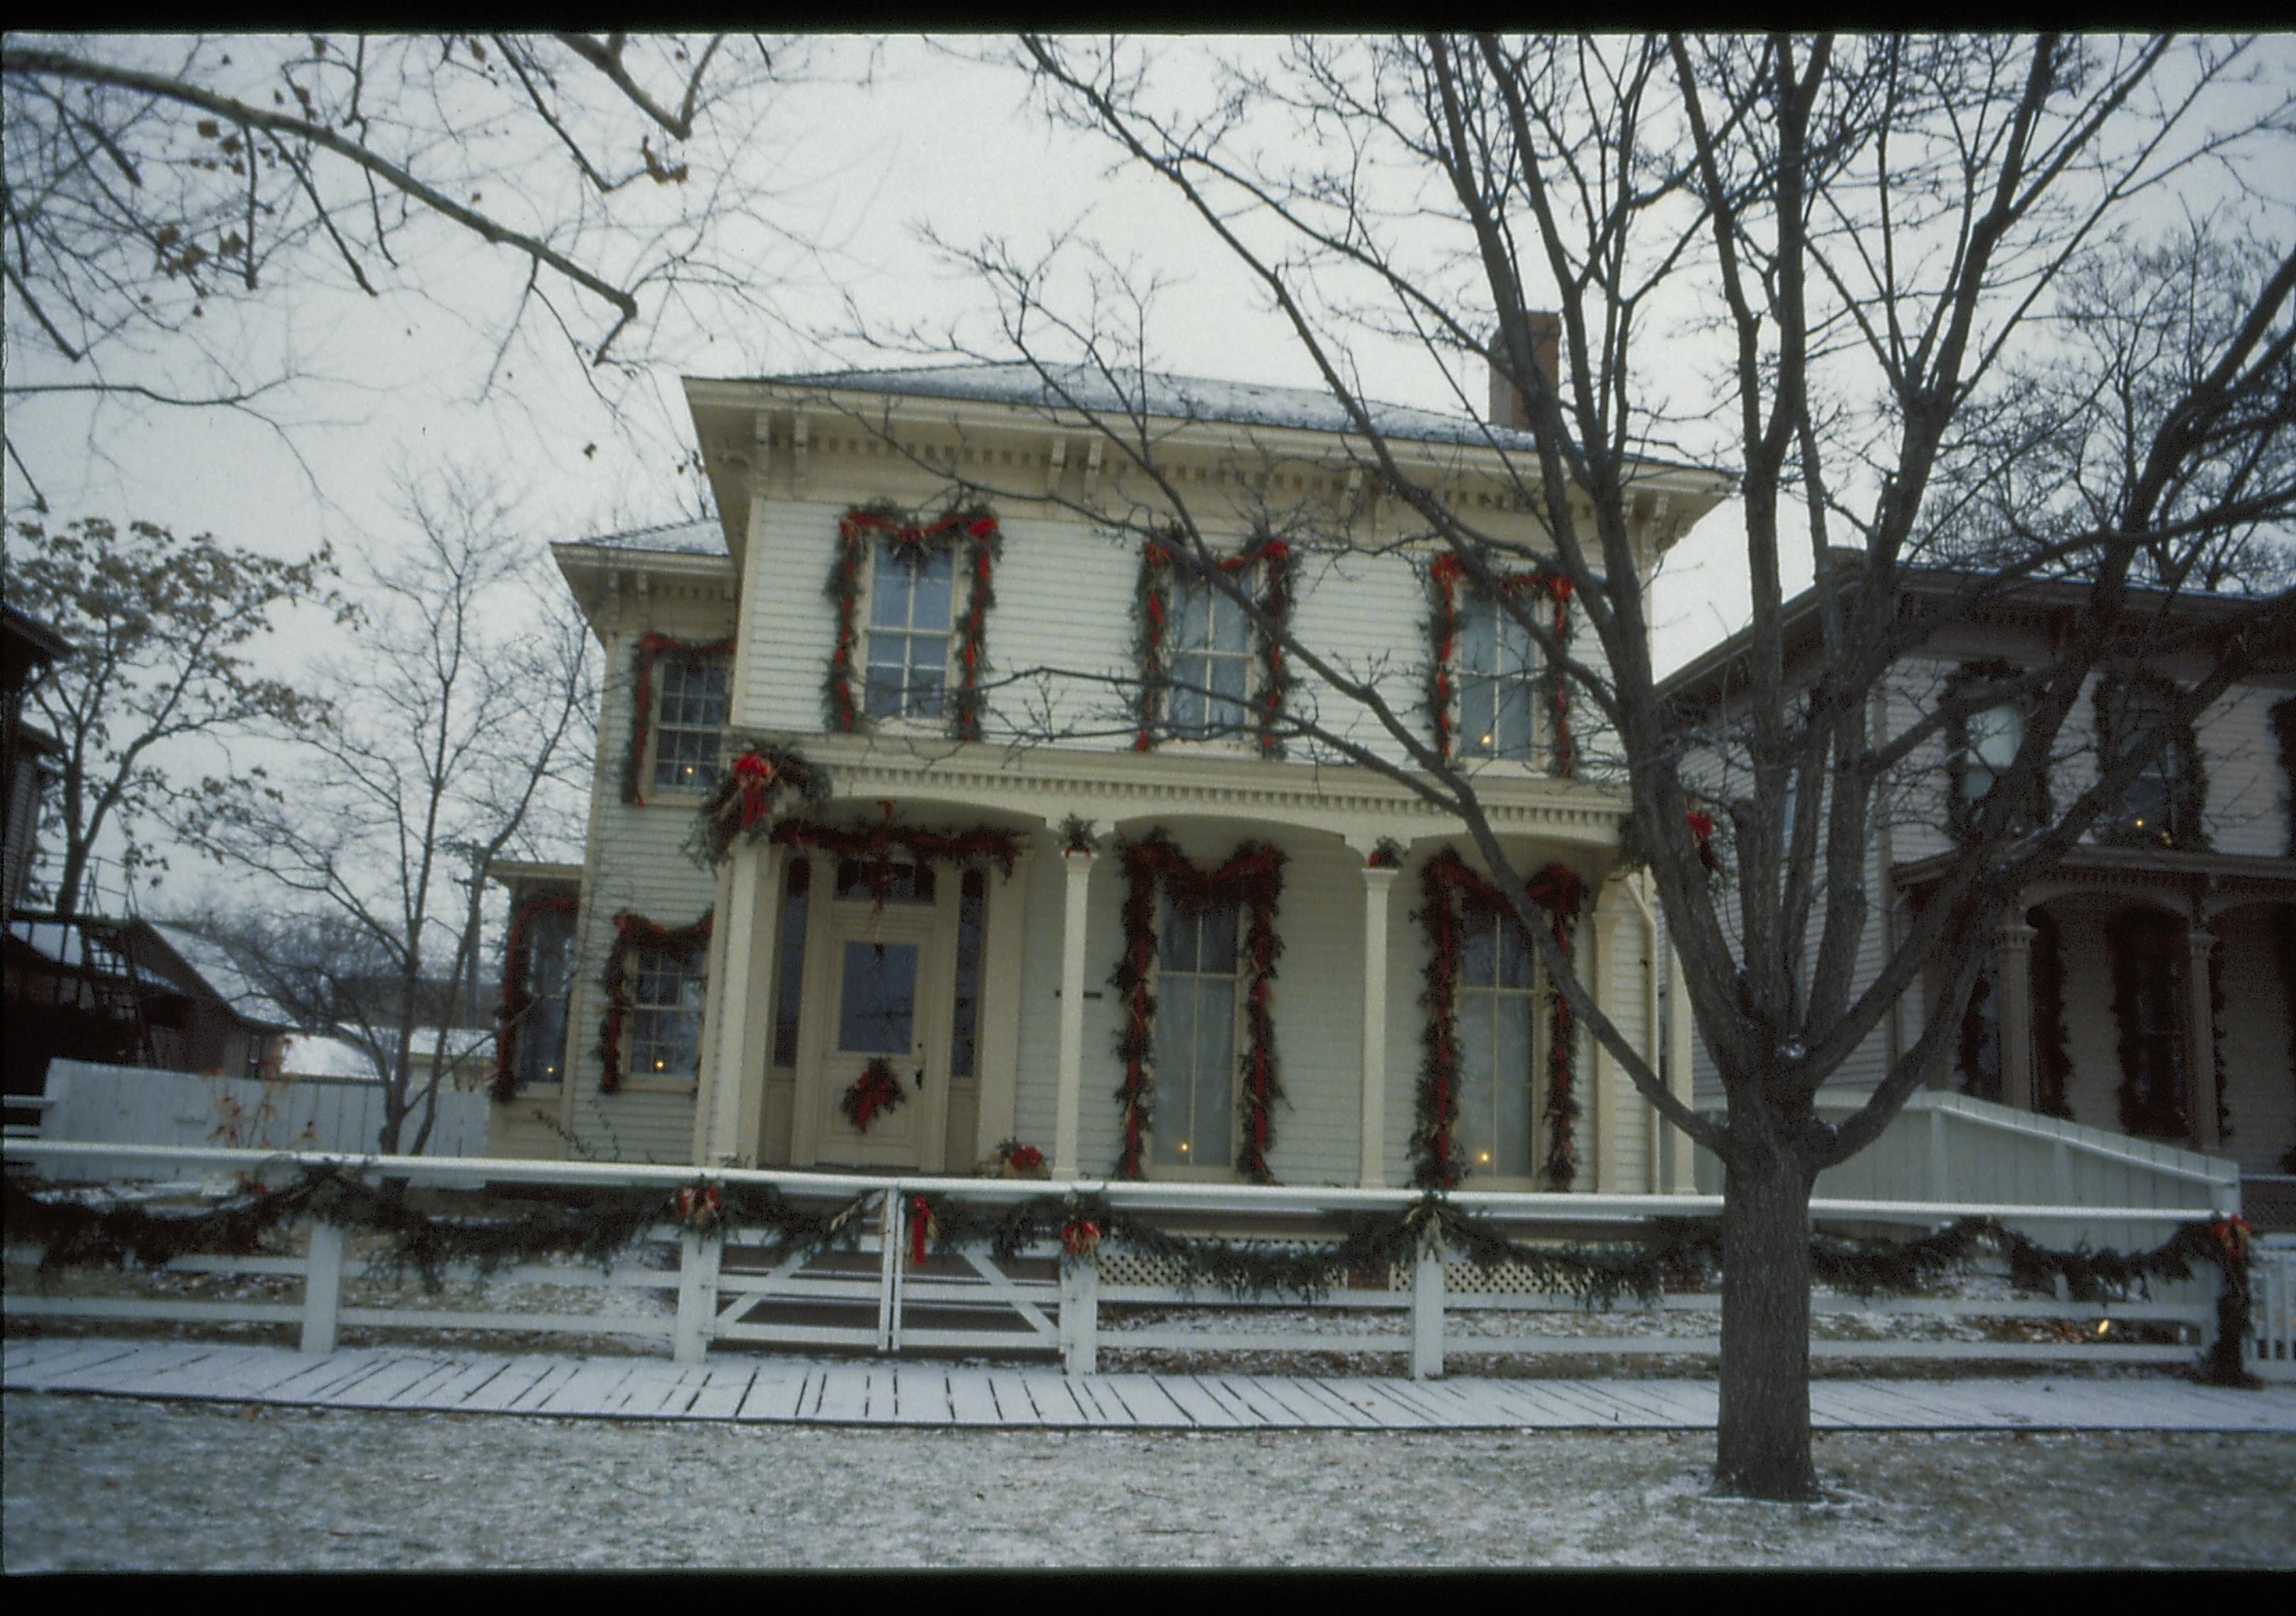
x: 169, y: 201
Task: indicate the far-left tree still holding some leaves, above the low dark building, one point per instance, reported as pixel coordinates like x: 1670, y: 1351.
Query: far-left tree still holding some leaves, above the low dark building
x: 162, y: 632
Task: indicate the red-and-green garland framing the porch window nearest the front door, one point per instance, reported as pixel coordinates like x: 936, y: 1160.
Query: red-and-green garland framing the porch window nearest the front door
x: 1252, y: 880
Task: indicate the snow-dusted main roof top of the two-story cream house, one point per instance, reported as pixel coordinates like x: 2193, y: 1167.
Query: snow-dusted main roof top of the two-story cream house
x: 1184, y: 398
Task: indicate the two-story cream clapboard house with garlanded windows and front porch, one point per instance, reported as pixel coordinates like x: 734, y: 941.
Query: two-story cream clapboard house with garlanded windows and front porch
x: 1064, y: 887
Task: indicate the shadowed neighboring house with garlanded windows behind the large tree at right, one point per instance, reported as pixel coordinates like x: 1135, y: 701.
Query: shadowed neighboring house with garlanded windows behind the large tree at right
x: 2150, y: 984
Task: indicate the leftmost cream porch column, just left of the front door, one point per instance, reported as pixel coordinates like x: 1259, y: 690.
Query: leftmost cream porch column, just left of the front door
x: 727, y: 1112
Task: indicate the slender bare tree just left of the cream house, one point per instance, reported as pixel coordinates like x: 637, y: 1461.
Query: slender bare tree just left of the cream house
x: 463, y: 731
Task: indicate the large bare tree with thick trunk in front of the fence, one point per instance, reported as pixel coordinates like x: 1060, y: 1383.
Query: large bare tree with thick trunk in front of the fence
x: 1817, y: 263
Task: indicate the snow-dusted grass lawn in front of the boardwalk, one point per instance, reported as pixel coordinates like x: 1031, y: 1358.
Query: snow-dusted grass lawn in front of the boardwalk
x: 109, y: 1484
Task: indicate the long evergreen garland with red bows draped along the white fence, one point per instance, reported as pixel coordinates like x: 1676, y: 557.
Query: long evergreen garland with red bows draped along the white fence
x: 72, y: 1232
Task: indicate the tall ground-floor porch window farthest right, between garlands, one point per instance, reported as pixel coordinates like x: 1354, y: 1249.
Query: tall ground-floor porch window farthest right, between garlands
x: 1498, y: 1034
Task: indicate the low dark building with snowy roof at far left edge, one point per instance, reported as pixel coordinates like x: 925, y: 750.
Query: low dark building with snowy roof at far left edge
x: 130, y: 993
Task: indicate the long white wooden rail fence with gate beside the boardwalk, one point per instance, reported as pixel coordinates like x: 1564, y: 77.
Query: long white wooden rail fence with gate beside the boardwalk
x: 871, y: 1296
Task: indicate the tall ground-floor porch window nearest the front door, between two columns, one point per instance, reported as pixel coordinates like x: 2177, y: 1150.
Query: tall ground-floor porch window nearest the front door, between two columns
x: 1195, y: 1036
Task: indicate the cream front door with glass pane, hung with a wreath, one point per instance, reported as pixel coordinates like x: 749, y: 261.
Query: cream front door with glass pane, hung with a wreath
x: 887, y: 1004
